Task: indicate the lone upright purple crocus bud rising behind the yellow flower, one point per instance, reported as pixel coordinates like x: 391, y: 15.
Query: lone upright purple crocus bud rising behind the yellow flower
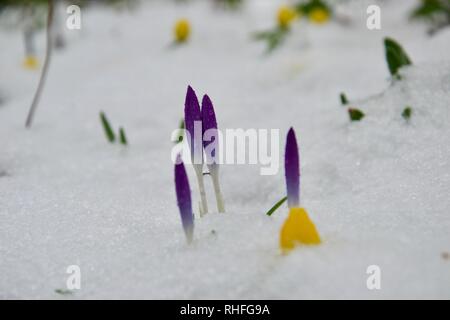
x: 292, y: 170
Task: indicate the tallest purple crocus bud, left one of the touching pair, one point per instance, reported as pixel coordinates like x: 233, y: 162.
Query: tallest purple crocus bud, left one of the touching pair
x: 193, y: 120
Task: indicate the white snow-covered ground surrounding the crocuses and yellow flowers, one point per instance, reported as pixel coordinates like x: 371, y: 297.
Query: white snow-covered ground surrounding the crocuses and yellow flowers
x: 378, y: 190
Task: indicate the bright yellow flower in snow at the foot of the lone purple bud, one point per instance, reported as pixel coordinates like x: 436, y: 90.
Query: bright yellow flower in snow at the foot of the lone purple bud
x: 298, y: 229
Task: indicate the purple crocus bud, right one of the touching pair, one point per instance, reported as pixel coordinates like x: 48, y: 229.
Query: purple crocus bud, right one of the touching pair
x: 210, y: 128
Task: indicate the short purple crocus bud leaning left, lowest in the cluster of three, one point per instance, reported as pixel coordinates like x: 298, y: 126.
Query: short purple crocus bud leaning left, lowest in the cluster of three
x: 183, y: 192
